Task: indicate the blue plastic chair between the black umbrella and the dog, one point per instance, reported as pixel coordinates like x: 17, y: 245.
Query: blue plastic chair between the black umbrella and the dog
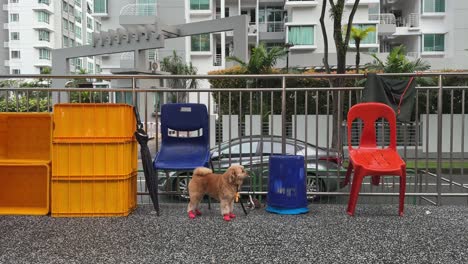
x: 179, y: 152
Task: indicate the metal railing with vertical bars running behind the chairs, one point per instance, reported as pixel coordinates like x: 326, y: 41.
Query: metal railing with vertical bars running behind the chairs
x: 433, y: 145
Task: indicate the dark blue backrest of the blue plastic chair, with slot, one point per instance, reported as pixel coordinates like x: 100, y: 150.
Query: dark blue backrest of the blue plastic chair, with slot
x: 184, y: 117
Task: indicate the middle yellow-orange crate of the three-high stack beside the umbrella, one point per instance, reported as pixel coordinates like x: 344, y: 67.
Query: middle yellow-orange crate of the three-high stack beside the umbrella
x: 94, y: 159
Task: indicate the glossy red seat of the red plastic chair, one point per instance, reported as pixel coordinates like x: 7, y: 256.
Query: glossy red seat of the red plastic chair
x: 377, y: 161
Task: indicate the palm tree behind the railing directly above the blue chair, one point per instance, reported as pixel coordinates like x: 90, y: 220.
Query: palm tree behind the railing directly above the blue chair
x: 176, y: 66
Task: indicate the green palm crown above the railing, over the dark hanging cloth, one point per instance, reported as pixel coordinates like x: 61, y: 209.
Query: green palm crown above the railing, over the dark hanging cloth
x: 397, y: 63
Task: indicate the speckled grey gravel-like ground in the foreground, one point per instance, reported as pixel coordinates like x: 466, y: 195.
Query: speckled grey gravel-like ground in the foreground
x: 426, y: 234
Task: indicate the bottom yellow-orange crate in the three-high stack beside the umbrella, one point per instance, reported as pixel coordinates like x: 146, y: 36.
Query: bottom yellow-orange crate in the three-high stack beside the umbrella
x: 115, y: 196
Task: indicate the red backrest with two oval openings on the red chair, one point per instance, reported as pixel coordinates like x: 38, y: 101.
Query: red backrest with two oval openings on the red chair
x: 369, y: 113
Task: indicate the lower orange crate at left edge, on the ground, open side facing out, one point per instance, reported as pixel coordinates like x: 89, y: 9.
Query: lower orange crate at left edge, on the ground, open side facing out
x: 24, y: 189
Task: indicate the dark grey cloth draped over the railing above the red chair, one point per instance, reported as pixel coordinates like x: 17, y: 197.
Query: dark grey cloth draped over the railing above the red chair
x: 399, y: 94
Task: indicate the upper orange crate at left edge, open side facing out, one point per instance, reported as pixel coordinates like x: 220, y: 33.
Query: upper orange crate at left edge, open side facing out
x: 25, y: 137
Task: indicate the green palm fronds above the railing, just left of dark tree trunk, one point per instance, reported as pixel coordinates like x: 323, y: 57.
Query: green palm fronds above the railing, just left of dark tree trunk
x: 262, y: 60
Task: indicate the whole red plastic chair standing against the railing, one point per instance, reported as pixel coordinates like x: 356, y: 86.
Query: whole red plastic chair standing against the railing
x: 368, y: 159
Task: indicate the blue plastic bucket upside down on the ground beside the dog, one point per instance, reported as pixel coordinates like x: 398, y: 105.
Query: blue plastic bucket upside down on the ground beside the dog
x: 287, y: 193
